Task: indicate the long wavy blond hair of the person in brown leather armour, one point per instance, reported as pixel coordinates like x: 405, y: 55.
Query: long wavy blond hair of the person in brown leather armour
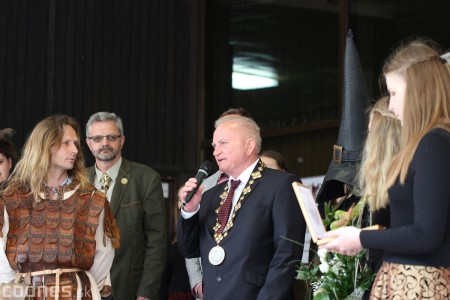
x: 36, y: 161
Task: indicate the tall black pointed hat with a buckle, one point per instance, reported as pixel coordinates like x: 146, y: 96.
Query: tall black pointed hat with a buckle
x: 347, y: 151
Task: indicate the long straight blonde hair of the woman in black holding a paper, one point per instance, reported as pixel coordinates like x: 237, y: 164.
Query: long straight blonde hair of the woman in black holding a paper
x: 427, y: 98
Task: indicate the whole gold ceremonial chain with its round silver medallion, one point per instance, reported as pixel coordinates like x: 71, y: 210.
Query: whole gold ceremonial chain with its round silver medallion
x: 217, y: 253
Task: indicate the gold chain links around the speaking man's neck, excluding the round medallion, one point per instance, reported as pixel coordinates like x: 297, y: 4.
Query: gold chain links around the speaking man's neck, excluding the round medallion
x: 218, y: 237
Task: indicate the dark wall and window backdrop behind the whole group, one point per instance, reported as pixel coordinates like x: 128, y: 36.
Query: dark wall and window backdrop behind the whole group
x: 165, y: 67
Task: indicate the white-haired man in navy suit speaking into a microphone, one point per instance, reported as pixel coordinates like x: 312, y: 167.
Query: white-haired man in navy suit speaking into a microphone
x: 245, y: 255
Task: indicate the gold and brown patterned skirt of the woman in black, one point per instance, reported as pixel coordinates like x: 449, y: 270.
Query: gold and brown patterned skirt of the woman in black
x: 397, y: 281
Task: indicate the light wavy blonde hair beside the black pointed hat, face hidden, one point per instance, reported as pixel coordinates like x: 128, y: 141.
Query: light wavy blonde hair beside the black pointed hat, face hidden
x: 382, y: 144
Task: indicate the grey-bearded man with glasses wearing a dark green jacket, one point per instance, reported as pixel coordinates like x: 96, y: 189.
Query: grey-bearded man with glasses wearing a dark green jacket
x: 136, y: 197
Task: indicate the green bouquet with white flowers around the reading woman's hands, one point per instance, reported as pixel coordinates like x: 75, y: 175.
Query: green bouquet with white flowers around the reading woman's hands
x: 333, y: 276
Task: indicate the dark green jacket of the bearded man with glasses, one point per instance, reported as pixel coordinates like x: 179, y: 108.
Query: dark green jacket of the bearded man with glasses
x: 138, y: 206
